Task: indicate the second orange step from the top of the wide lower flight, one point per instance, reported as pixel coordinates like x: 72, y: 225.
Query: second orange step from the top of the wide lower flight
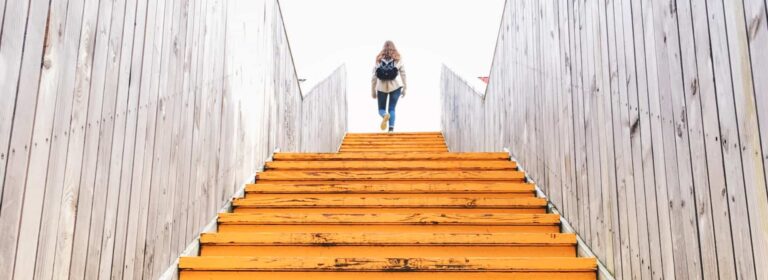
x: 392, y: 165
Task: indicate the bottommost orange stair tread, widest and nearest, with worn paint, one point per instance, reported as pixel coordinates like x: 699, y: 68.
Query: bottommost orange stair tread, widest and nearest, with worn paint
x: 386, y: 264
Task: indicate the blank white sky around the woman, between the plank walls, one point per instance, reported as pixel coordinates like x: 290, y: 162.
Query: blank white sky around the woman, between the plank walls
x: 326, y: 33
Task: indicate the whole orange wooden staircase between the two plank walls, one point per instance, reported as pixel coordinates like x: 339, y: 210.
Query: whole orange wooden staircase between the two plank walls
x: 389, y: 206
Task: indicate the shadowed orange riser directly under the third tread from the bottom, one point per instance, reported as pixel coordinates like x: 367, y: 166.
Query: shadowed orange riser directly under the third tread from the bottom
x: 349, y: 228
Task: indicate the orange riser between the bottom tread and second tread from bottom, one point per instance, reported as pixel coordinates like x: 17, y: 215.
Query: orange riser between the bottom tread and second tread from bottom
x: 390, y: 251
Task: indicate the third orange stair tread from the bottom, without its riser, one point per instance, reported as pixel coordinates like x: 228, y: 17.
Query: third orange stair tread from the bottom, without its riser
x: 390, y: 218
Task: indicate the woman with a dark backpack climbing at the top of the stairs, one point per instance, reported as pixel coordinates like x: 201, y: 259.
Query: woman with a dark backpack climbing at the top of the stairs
x: 388, y: 83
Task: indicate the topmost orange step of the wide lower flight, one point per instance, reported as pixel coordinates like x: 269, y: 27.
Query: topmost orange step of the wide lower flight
x: 379, y: 156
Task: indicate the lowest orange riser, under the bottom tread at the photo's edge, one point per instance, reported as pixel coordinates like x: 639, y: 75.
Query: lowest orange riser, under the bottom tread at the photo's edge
x: 215, y: 275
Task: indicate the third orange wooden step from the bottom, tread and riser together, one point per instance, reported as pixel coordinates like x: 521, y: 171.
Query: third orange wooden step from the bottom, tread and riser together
x: 490, y: 221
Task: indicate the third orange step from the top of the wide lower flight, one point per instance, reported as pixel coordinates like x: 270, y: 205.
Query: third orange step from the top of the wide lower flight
x: 510, y: 176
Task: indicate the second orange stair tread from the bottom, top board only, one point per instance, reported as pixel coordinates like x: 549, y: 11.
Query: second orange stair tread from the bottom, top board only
x: 374, y: 239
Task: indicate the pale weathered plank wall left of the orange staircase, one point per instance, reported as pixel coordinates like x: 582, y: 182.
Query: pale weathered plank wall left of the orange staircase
x: 125, y: 125
